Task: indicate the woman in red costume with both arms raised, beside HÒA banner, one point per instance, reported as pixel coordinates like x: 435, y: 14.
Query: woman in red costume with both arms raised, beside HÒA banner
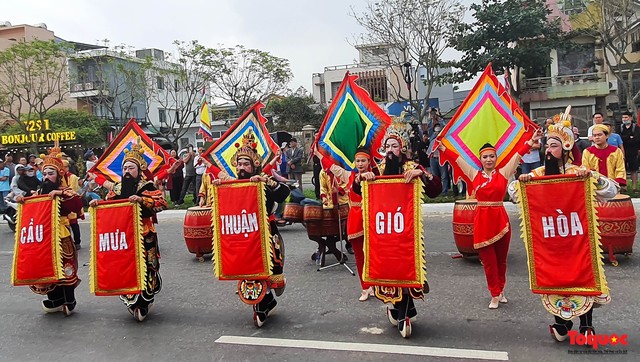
x: 492, y: 230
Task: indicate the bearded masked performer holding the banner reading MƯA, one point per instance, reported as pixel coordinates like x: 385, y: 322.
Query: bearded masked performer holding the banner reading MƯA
x: 137, y: 189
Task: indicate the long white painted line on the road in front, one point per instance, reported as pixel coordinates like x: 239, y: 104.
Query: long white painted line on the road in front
x: 367, y: 347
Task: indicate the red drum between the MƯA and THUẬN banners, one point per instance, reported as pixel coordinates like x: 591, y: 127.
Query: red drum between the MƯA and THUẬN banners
x: 198, y: 234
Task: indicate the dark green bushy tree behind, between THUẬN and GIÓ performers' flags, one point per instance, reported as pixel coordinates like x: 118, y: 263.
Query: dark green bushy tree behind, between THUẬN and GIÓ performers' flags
x: 291, y: 113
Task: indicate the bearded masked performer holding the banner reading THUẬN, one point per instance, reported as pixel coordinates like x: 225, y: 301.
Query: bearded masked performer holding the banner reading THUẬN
x: 247, y: 163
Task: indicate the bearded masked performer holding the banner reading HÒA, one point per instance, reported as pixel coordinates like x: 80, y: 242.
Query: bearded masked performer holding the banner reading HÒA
x: 558, y: 156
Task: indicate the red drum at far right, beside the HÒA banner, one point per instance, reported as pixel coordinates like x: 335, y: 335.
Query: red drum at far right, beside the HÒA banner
x: 617, y: 224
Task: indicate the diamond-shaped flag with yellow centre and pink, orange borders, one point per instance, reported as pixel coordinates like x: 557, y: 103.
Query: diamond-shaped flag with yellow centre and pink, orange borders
x: 487, y: 115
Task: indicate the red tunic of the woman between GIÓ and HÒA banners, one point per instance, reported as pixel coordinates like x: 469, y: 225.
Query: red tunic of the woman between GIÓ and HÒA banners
x: 491, y: 221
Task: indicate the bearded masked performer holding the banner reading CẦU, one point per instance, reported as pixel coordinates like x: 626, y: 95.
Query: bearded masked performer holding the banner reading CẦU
x: 60, y: 295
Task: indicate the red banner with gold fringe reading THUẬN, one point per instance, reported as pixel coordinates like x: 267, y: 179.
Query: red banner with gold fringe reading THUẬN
x: 242, y: 238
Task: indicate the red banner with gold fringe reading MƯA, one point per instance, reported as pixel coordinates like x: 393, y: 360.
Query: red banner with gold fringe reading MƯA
x: 117, y: 263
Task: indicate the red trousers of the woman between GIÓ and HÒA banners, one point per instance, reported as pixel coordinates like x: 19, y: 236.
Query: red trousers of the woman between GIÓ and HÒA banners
x: 494, y: 260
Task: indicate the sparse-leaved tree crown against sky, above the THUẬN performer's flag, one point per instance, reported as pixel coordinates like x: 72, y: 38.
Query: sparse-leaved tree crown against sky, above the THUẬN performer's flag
x: 243, y: 76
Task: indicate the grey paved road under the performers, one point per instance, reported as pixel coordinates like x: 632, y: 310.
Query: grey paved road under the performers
x: 195, y: 313
